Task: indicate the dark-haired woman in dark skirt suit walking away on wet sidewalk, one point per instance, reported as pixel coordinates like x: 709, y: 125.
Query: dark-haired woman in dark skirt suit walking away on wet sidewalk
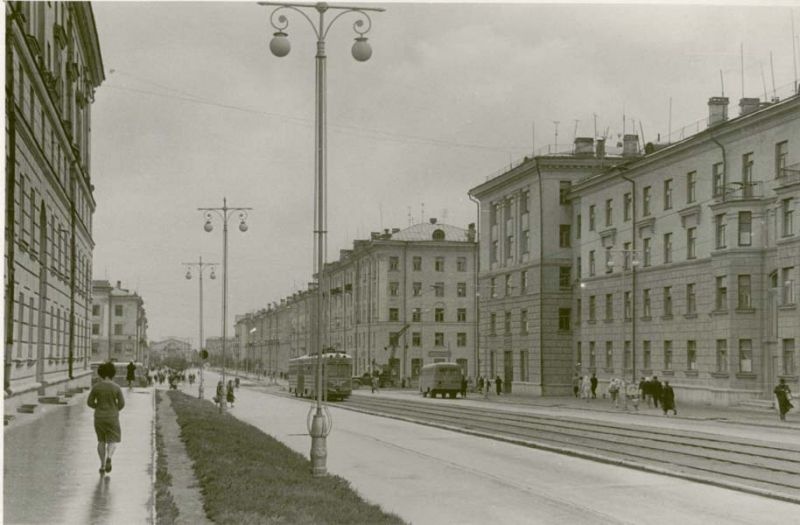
x: 106, y: 399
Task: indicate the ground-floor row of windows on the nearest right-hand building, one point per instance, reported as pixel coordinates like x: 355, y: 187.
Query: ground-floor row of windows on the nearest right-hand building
x: 668, y: 356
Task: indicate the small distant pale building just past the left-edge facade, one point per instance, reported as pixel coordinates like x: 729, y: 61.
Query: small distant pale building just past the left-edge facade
x: 119, y: 324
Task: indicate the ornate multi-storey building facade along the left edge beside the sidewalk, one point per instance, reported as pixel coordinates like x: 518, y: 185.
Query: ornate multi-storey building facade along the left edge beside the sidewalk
x: 53, y: 66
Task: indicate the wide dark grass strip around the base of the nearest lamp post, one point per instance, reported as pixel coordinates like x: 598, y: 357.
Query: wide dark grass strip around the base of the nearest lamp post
x: 248, y: 477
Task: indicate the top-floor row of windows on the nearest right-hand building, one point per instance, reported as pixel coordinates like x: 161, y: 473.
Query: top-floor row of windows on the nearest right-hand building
x: 743, y: 188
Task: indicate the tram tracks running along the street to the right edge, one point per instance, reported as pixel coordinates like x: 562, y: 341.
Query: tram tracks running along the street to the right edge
x: 765, y: 468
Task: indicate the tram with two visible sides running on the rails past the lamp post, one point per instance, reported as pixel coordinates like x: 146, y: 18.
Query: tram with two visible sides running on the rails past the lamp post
x: 337, y: 375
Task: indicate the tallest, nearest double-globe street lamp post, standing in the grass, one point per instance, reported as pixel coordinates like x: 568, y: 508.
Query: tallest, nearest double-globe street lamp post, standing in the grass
x: 319, y: 426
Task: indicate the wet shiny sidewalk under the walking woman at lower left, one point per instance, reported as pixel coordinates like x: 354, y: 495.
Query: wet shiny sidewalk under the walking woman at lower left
x: 51, y: 467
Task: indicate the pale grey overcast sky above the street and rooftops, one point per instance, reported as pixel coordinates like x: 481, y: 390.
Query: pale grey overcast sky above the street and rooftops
x: 195, y: 107
